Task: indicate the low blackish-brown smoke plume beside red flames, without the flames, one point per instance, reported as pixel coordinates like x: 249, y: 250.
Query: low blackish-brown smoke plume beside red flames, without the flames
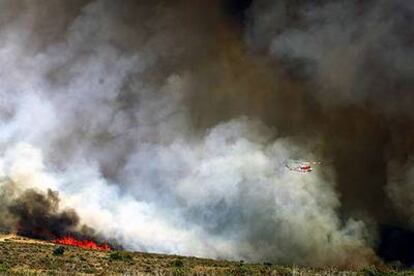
x: 38, y: 215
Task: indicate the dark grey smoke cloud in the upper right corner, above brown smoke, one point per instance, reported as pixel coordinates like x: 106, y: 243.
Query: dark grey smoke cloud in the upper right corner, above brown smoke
x: 366, y: 43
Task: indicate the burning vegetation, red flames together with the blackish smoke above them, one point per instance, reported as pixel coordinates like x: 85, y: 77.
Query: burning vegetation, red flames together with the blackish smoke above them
x: 37, y: 215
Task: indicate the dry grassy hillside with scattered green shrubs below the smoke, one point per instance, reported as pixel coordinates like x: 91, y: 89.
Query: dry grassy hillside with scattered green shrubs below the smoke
x: 23, y: 256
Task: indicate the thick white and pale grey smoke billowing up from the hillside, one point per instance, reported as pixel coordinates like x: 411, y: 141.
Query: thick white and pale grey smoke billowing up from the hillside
x: 103, y: 120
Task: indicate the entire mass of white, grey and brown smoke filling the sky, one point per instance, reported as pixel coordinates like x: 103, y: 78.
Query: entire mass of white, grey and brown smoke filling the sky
x: 162, y: 128
